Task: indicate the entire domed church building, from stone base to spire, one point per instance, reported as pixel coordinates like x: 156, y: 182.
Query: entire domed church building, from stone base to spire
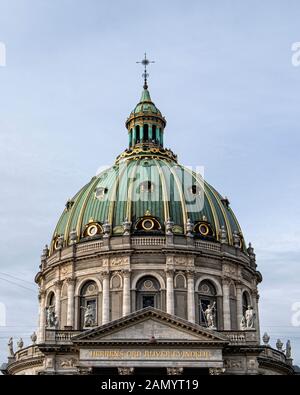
x: 139, y: 277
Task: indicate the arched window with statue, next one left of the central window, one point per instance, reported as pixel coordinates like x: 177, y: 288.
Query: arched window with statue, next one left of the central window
x: 88, y: 305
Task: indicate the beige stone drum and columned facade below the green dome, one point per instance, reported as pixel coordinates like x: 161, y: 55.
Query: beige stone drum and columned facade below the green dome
x: 114, y: 277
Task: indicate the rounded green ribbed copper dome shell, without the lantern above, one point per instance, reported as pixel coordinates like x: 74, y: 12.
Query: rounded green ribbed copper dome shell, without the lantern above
x: 141, y: 187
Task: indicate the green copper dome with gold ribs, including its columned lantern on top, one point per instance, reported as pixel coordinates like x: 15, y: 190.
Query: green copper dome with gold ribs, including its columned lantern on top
x: 147, y: 192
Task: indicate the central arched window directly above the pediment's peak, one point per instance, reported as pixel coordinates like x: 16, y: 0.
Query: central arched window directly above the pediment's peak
x: 148, y: 293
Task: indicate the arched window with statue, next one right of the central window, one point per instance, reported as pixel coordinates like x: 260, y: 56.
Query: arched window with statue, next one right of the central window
x: 207, y: 297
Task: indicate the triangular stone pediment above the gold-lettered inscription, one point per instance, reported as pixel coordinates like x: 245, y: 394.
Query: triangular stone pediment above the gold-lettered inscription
x: 150, y: 325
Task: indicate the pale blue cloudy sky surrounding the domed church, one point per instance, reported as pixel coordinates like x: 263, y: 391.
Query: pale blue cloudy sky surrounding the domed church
x: 225, y: 81
